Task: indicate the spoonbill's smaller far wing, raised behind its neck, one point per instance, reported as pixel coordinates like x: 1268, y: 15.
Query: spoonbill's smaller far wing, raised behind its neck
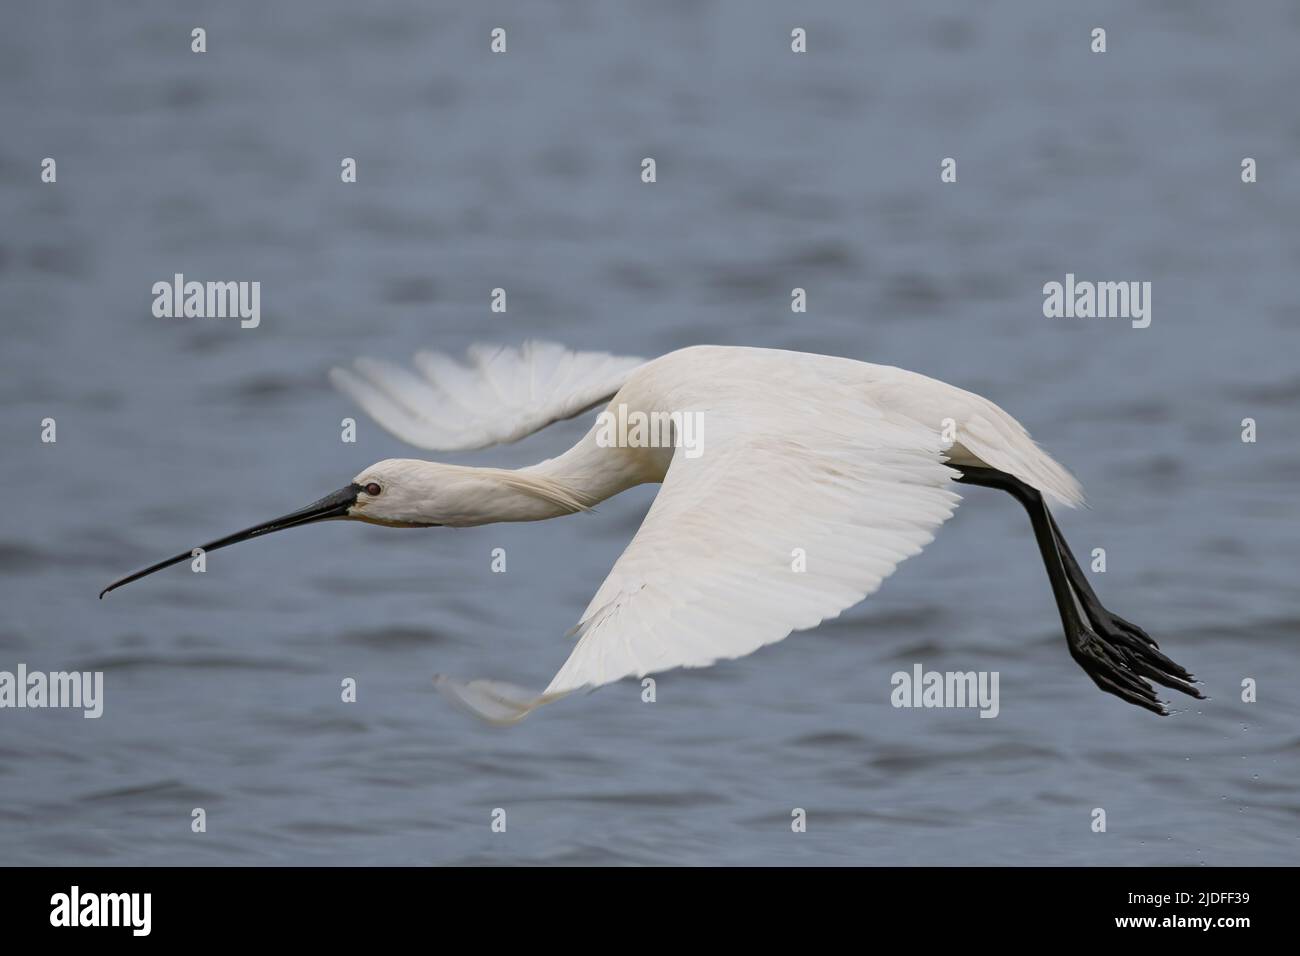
x: 502, y: 395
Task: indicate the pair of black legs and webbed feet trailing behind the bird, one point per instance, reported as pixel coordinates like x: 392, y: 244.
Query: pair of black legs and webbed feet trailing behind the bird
x: 1116, y: 655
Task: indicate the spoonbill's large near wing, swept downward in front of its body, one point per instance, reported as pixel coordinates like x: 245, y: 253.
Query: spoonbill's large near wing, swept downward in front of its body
x: 769, y: 531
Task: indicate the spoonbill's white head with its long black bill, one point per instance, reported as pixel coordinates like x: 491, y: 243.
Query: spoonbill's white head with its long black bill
x: 396, y: 492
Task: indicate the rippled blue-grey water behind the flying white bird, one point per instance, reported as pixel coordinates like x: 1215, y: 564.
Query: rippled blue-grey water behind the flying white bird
x: 522, y: 171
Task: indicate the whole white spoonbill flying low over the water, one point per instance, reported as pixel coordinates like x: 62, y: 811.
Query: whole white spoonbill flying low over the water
x: 843, y: 460
